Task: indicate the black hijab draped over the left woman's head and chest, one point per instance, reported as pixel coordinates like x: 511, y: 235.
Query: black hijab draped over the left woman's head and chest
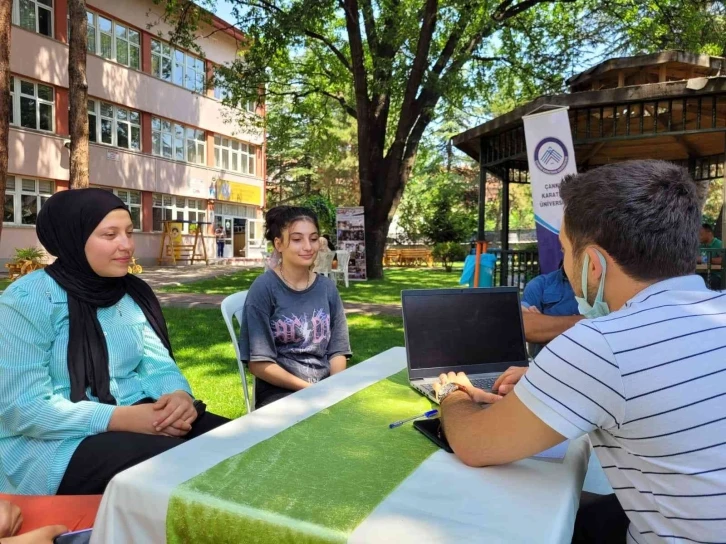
x: 64, y: 224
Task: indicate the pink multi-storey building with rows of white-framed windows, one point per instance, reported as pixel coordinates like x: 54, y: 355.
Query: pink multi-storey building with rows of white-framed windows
x: 161, y: 138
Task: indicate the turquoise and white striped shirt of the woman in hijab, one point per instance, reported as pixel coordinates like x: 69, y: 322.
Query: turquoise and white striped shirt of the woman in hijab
x: 40, y: 428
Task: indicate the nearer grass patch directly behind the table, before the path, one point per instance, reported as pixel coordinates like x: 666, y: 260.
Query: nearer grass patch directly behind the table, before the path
x: 205, y: 355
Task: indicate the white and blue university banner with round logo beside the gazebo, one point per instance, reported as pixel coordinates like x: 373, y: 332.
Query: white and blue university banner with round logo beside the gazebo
x: 551, y: 156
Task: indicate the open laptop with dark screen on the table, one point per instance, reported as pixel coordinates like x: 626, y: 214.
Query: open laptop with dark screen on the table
x: 477, y: 331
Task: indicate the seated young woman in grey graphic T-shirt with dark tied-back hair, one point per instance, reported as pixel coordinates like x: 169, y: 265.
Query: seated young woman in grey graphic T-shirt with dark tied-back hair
x: 294, y: 331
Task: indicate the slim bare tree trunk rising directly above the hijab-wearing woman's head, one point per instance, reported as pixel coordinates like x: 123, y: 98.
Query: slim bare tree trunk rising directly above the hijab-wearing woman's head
x: 78, y: 94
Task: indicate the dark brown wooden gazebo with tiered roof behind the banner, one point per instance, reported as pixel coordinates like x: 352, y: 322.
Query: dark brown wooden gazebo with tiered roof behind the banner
x: 669, y: 106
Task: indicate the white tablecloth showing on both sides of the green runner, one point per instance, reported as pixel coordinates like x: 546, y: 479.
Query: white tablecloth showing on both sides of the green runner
x: 442, y: 501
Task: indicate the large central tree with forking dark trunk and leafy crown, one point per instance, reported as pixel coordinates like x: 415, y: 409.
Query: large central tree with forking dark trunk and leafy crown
x: 392, y: 67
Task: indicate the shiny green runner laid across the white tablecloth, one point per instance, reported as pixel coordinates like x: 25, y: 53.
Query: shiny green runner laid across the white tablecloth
x: 313, y: 482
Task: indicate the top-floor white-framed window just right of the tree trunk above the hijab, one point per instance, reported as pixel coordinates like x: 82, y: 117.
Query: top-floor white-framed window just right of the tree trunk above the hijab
x: 113, y: 40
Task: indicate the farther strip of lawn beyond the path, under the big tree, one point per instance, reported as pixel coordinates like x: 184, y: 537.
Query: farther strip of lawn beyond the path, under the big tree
x: 386, y: 291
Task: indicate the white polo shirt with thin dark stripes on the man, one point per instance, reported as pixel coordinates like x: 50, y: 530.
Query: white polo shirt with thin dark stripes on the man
x: 648, y: 383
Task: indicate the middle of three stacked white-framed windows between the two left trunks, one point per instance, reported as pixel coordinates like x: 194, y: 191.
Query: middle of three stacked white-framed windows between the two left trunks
x: 33, y: 104
